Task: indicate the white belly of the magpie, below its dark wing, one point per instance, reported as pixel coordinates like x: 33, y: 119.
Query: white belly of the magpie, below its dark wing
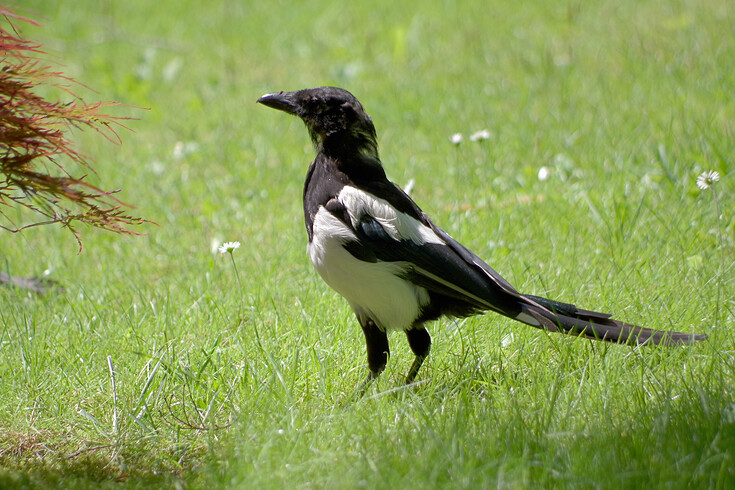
x: 372, y: 288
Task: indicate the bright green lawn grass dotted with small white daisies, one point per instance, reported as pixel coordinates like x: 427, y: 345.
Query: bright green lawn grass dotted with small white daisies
x: 219, y: 385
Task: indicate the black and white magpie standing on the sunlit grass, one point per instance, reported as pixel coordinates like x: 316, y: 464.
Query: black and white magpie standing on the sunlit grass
x: 371, y: 243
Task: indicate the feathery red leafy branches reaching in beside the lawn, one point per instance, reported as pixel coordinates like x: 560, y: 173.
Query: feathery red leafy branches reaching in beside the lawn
x: 35, y: 144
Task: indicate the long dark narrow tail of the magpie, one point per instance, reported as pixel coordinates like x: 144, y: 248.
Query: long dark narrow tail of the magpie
x: 566, y: 318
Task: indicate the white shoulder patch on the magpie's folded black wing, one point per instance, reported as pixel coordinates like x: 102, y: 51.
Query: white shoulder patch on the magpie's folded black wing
x: 399, y: 226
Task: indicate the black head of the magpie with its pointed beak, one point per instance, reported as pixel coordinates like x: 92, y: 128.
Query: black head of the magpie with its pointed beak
x: 334, y: 117
